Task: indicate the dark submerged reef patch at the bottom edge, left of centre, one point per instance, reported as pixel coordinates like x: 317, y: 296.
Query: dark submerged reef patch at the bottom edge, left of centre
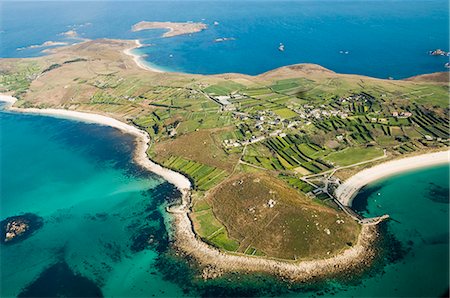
x: 60, y: 281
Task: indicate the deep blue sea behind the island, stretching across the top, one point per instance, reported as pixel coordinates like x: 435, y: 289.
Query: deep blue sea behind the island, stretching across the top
x: 381, y: 38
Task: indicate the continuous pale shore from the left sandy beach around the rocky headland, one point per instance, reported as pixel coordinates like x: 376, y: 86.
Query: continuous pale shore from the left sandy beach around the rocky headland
x: 214, y: 261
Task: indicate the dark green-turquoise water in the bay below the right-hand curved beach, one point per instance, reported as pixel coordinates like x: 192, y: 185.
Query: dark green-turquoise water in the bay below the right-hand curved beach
x: 418, y: 203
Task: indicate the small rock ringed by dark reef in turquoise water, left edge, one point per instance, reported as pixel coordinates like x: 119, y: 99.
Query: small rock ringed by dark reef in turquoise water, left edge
x: 17, y: 228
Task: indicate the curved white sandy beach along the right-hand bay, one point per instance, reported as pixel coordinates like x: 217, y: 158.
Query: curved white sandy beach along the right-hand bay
x: 348, y: 190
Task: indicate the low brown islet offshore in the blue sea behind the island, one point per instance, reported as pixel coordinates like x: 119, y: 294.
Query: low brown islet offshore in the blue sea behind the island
x: 174, y: 28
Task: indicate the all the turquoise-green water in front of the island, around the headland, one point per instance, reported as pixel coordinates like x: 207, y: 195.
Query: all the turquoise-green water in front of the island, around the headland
x: 99, y: 209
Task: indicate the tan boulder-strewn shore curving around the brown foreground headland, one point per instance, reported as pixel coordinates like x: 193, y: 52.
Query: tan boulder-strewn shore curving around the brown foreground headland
x: 214, y: 263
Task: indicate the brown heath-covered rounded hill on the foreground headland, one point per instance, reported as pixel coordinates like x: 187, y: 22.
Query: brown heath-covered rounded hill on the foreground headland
x: 263, y: 213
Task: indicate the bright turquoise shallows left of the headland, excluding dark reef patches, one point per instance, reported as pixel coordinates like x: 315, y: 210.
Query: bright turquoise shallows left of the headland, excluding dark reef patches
x: 80, y: 178
